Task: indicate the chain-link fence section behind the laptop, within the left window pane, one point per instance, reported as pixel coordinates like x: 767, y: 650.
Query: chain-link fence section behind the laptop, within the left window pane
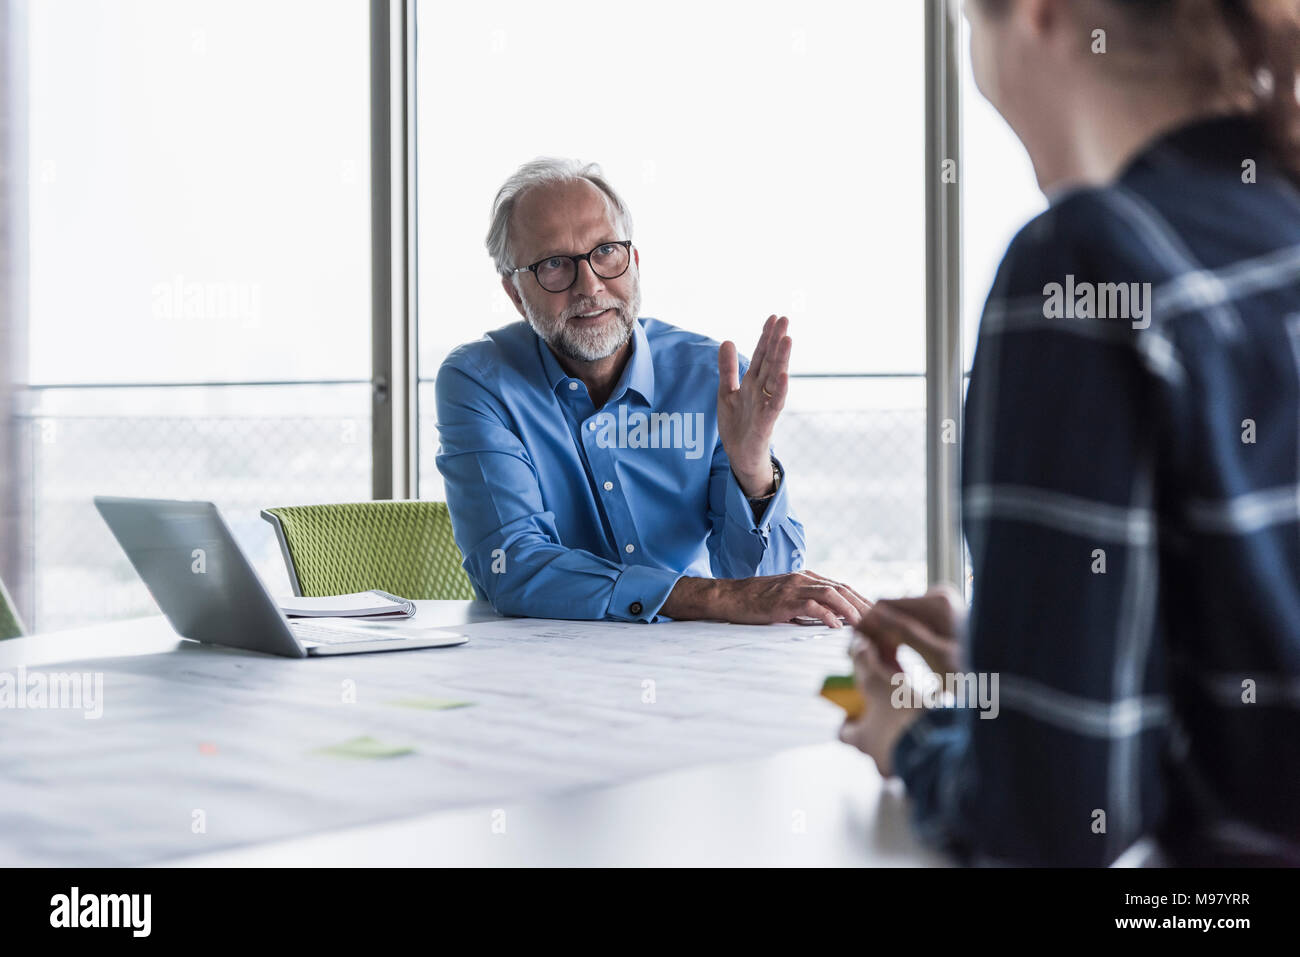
x: 244, y: 464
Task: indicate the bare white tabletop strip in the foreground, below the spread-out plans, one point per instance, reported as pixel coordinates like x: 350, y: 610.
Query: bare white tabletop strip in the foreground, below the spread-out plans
x: 817, y: 807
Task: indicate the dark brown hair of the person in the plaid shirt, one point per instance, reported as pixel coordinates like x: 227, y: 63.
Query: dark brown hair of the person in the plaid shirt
x: 1259, y: 68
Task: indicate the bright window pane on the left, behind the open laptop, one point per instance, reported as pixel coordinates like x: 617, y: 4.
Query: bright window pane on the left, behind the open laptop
x: 198, y: 276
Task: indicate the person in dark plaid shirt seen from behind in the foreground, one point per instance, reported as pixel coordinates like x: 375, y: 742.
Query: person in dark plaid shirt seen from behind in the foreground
x: 1132, y: 458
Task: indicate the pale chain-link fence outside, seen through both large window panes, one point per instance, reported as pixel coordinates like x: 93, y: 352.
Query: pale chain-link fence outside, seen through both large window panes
x: 857, y: 477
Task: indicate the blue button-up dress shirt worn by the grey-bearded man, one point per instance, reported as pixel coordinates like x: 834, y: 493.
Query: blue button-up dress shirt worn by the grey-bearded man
x: 564, y: 510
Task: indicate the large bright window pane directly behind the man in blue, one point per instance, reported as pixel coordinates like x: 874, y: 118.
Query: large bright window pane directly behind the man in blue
x: 791, y: 137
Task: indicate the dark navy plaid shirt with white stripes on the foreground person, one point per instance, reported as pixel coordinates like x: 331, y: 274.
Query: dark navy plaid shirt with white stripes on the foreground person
x: 1132, y: 501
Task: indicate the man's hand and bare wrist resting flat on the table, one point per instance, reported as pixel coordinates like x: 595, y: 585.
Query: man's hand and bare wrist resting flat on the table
x: 768, y: 600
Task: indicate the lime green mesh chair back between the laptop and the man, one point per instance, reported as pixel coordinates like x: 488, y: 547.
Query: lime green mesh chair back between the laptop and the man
x: 404, y: 548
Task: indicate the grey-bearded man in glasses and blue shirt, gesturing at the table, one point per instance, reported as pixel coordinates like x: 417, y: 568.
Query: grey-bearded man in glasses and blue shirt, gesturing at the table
x: 603, y: 466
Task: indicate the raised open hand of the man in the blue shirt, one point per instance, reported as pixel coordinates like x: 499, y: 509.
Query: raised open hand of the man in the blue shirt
x: 748, y: 410
